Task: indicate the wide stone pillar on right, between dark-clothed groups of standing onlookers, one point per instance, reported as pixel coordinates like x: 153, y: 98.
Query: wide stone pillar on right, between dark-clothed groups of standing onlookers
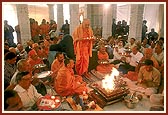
x: 136, y: 19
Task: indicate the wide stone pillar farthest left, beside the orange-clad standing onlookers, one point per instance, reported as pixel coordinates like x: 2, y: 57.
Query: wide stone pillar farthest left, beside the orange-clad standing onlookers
x: 24, y: 23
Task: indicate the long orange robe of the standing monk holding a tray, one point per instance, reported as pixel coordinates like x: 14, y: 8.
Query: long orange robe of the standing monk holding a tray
x: 82, y: 48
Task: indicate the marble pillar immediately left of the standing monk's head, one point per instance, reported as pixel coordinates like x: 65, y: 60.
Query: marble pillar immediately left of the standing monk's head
x: 74, y: 17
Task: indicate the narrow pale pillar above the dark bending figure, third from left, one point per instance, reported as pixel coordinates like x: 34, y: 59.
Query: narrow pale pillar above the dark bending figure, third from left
x: 60, y: 17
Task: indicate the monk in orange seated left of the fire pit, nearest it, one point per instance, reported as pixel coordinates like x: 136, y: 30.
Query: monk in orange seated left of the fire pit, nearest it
x: 69, y: 84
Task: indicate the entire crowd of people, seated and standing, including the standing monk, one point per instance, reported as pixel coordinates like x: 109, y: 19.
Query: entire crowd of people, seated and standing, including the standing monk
x: 68, y: 57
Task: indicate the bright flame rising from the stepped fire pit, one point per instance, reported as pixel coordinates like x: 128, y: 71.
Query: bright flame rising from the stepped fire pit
x: 108, y: 82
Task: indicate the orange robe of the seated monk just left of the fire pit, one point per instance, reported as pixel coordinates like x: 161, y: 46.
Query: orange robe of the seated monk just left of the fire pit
x: 67, y: 84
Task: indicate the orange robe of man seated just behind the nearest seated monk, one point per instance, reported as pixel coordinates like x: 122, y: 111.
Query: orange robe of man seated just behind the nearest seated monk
x: 55, y: 66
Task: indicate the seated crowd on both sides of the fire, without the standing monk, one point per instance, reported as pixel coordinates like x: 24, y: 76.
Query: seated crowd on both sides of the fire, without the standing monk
x: 143, y: 60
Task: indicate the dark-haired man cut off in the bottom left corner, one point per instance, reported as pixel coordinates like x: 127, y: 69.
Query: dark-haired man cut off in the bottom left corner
x: 12, y: 101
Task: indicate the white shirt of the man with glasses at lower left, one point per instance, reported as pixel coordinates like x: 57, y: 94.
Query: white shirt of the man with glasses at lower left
x: 28, y: 97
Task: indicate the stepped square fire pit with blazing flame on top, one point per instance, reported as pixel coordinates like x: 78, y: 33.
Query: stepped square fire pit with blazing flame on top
x: 109, y: 90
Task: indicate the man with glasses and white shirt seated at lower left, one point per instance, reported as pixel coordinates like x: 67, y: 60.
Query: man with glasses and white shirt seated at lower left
x: 27, y: 92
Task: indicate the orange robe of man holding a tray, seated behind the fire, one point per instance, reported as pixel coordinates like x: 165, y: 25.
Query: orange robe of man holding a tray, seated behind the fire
x: 104, y: 68
